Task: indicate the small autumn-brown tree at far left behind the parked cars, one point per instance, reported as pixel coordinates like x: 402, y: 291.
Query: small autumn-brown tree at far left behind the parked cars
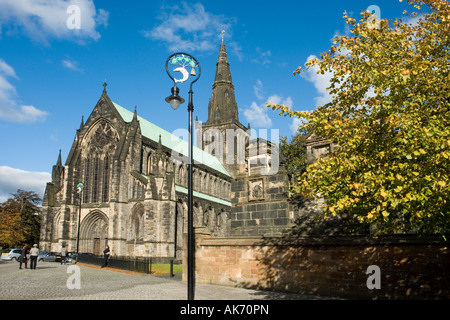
x: 20, y: 219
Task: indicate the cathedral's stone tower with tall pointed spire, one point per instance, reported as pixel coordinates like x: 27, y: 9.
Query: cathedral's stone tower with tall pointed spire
x: 222, y: 134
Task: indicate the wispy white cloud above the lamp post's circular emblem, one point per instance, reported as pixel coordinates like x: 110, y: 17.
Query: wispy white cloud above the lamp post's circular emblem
x: 190, y: 27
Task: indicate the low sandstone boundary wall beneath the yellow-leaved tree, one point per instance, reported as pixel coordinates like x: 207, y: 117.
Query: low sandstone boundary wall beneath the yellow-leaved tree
x: 331, y: 266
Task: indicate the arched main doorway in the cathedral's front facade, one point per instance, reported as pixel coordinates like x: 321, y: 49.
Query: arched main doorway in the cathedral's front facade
x: 94, y: 232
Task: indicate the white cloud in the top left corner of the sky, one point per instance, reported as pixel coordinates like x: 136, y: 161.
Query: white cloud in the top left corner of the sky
x: 42, y: 19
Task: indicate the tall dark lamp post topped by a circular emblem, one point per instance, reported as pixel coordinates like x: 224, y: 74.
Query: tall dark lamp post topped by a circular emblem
x: 183, y: 60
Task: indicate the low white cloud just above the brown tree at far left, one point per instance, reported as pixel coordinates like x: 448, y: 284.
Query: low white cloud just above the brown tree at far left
x: 12, y: 179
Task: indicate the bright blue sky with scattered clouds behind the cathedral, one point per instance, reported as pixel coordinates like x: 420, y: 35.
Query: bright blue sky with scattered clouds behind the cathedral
x: 51, y: 75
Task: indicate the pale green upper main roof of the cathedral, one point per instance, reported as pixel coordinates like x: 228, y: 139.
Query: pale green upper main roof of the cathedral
x: 171, y: 141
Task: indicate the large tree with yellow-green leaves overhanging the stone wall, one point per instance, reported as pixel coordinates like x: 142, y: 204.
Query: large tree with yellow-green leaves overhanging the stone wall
x: 390, y: 118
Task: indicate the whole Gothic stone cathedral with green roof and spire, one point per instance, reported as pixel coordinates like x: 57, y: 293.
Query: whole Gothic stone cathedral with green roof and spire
x: 134, y: 179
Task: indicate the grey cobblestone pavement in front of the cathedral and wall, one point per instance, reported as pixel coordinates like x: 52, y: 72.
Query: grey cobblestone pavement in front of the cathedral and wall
x: 49, y: 281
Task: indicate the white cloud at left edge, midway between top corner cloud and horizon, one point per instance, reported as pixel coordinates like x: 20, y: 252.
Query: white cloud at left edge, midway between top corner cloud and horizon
x: 10, y: 107
